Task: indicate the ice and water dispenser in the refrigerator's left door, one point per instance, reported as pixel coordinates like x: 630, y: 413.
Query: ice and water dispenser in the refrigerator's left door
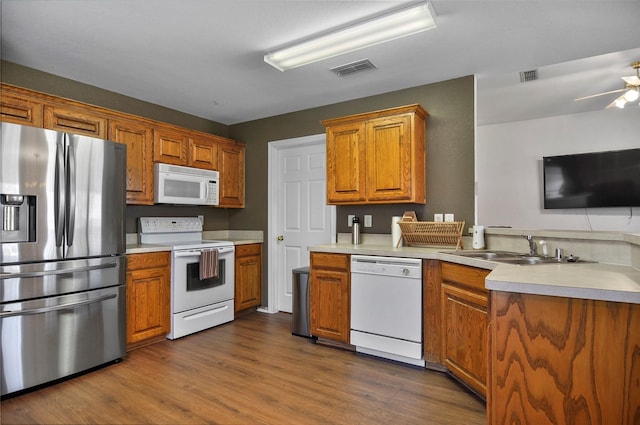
x: 18, y: 218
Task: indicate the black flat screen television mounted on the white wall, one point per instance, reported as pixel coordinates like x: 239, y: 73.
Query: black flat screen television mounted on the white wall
x: 592, y: 180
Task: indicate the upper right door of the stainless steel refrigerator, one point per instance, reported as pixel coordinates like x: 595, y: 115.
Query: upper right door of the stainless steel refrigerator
x: 96, y: 176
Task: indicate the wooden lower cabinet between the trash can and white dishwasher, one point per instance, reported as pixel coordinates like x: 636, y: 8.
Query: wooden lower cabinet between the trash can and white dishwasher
x: 330, y: 296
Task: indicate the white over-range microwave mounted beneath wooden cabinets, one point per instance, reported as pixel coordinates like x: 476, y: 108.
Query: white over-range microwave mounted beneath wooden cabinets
x: 174, y: 184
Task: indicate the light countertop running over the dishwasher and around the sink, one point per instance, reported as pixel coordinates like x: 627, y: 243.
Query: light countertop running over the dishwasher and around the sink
x: 597, y: 281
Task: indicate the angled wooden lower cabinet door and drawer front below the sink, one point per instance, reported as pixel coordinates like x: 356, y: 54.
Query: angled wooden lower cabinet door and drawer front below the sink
x: 464, y: 303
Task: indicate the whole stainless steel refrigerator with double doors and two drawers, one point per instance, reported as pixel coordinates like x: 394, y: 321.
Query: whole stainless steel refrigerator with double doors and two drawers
x: 62, y: 263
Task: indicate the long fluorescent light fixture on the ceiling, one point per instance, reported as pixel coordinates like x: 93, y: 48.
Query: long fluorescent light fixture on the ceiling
x: 400, y: 23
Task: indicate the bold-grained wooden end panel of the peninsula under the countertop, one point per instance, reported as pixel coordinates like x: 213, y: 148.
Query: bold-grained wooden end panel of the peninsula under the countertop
x: 557, y: 360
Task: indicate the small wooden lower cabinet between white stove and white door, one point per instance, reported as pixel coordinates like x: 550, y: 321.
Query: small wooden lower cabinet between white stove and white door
x: 248, y: 276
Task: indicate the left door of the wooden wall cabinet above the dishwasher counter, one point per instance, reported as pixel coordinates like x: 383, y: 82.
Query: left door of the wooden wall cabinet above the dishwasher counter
x: 346, y: 163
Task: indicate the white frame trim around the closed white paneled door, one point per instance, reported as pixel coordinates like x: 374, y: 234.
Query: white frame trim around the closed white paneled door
x: 273, y: 211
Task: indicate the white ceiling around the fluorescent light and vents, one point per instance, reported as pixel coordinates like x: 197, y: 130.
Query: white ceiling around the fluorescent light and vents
x: 205, y: 57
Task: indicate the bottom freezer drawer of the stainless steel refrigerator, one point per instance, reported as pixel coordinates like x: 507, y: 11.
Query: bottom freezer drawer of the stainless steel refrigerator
x: 54, y: 337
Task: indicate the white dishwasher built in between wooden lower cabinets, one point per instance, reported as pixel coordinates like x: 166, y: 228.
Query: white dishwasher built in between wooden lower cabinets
x: 386, y: 307
